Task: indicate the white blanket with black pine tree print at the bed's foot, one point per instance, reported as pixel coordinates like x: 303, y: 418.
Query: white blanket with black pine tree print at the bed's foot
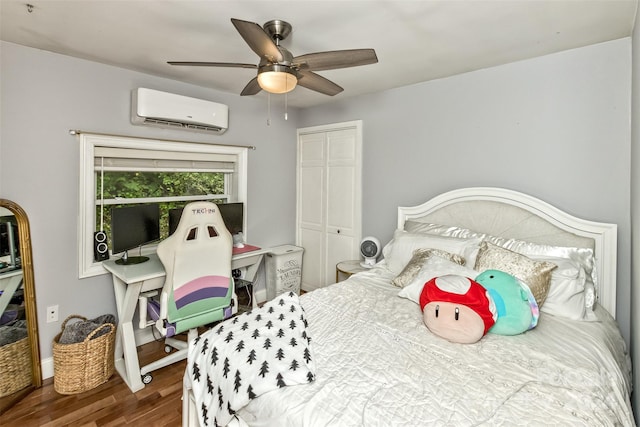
x: 248, y: 355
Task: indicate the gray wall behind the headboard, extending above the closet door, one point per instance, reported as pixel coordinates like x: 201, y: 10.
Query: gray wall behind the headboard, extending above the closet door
x: 556, y: 127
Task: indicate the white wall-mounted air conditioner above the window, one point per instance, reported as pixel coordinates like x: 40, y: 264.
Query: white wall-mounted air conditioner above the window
x: 156, y: 108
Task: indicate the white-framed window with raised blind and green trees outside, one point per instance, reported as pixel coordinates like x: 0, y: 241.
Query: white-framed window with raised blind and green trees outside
x: 122, y: 171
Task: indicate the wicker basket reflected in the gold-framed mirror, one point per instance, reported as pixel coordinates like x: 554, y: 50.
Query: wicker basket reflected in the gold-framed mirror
x: 15, y: 366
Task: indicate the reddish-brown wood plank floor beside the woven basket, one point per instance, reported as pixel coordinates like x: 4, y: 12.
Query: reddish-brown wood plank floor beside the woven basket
x: 111, y: 404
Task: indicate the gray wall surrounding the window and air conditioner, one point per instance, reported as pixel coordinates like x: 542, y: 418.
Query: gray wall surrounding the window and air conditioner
x: 43, y: 95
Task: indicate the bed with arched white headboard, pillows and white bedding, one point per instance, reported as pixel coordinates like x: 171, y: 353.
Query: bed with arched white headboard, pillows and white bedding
x: 372, y: 362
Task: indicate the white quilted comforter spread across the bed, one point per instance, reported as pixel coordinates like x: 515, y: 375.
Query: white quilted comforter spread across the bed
x: 378, y: 365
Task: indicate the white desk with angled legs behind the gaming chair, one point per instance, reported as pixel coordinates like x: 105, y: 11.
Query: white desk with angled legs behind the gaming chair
x: 128, y: 282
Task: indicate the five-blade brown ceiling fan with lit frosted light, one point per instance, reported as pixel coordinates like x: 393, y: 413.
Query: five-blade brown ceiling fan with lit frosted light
x: 278, y: 70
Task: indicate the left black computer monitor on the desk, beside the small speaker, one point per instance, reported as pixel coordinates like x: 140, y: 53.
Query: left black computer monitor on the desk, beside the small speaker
x: 133, y: 227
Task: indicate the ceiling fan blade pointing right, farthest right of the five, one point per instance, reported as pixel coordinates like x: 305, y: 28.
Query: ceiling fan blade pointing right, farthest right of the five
x: 335, y: 59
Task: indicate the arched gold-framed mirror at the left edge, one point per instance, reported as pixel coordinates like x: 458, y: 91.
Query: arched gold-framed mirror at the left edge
x: 20, y: 370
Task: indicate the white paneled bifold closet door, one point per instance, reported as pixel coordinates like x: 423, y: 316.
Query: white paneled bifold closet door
x: 329, y: 199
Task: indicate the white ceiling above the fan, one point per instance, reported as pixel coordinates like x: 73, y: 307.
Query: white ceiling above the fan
x: 415, y: 40
